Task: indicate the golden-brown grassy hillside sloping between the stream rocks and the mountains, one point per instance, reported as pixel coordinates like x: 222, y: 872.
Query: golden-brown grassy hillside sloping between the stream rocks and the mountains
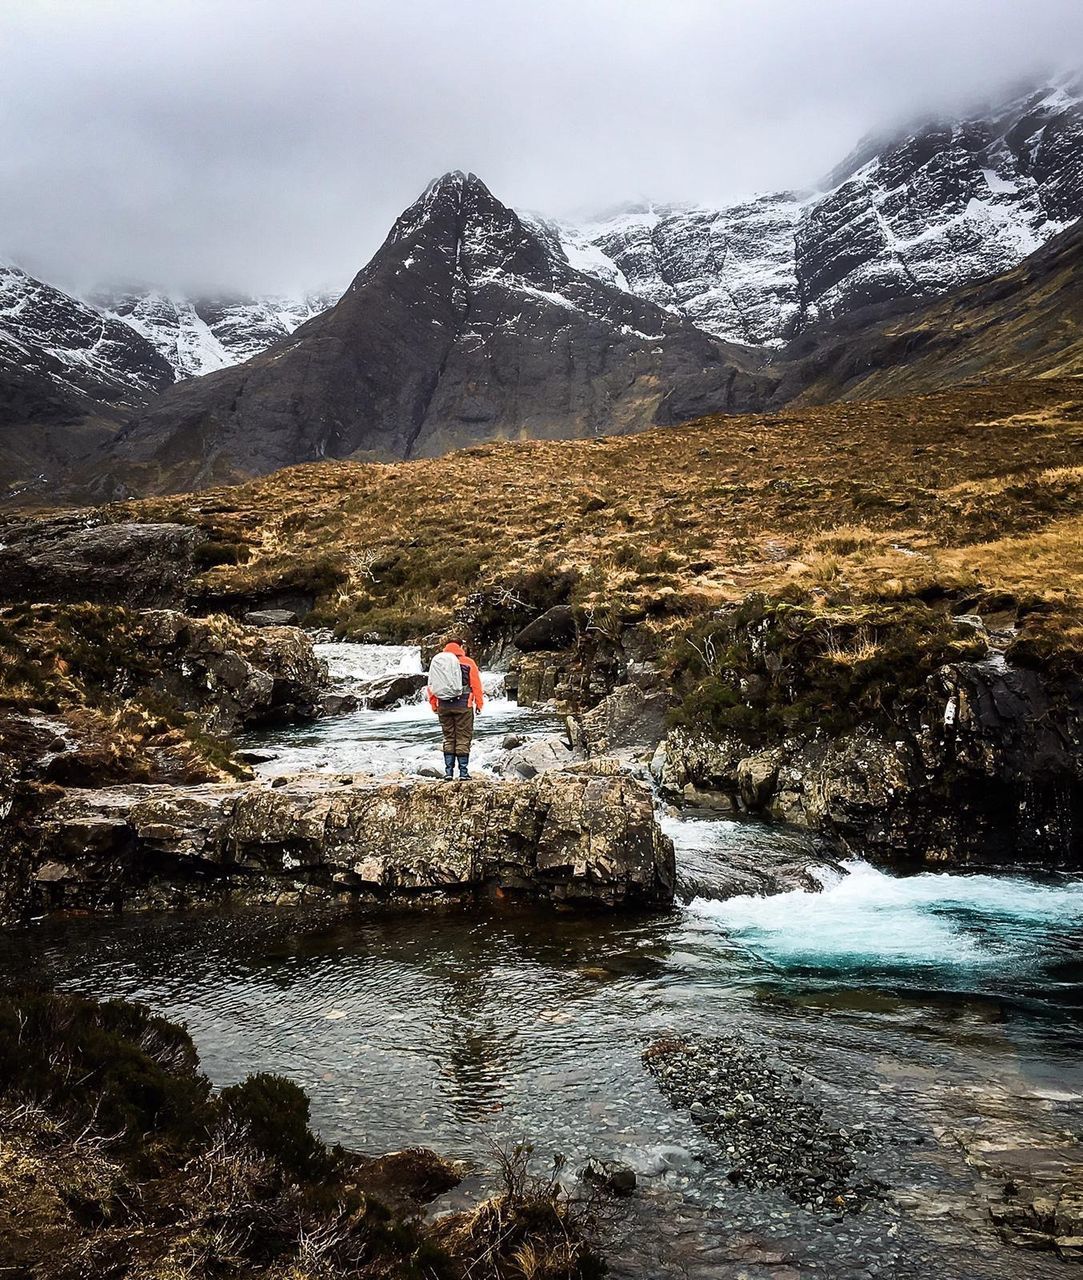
x: 976, y: 496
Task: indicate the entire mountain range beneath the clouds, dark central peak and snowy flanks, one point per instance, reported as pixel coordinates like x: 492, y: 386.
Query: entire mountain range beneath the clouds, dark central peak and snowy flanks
x: 474, y: 322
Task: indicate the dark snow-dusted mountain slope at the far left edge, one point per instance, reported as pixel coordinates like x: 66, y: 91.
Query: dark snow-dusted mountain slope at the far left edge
x: 52, y: 337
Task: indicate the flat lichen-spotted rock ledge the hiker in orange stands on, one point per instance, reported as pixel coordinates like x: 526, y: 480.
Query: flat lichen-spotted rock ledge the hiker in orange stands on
x: 566, y: 839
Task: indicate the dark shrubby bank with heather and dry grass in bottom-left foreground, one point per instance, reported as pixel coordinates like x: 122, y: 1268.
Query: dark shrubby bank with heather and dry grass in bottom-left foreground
x: 118, y: 1159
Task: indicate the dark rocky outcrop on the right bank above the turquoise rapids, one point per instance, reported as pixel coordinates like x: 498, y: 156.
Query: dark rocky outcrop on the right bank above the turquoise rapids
x: 986, y: 770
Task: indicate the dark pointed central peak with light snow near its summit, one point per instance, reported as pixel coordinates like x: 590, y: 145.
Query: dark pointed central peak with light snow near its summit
x: 465, y: 326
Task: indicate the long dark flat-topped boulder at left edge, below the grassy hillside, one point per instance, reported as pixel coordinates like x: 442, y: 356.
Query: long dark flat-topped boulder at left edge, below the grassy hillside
x: 71, y: 560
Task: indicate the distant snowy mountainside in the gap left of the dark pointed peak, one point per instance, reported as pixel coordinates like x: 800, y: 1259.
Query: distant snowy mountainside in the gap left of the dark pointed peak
x: 199, y: 336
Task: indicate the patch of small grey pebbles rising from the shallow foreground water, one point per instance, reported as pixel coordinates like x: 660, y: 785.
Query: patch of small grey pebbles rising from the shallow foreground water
x: 764, y: 1126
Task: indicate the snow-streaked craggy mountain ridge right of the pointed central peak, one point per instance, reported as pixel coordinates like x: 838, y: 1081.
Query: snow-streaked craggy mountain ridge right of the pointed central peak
x: 910, y: 217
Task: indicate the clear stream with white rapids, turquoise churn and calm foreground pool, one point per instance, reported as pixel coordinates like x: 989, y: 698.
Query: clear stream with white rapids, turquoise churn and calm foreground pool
x: 940, y: 1013
